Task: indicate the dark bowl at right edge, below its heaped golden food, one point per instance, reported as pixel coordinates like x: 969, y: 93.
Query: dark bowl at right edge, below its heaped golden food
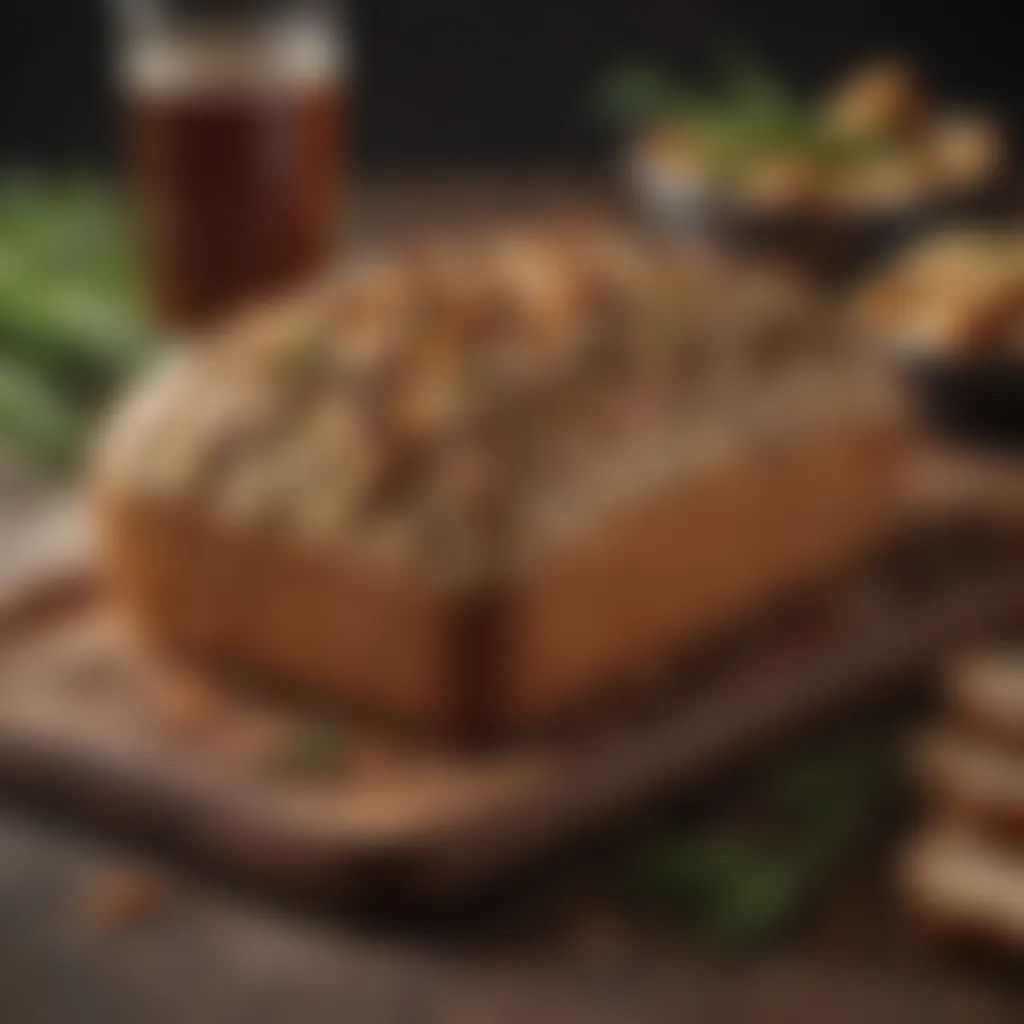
x: 979, y: 401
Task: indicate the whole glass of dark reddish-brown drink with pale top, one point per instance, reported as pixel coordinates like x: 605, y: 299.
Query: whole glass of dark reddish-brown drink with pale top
x: 237, y: 117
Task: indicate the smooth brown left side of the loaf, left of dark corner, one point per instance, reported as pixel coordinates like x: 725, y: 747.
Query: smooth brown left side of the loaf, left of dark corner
x: 252, y: 600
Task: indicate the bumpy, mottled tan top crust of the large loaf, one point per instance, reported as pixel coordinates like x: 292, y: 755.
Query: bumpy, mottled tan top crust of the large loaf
x: 460, y: 401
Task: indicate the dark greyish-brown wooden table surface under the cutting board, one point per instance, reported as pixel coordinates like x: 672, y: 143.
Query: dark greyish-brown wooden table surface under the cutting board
x: 551, y: 949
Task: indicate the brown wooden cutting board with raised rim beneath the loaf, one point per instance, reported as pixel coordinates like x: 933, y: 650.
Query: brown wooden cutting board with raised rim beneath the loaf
x: 98, y: 726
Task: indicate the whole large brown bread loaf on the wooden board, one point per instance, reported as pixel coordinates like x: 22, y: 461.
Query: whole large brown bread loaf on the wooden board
x: 480, y: 484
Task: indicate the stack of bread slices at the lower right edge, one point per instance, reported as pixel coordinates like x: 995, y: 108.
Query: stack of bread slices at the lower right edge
x: 964, y: 875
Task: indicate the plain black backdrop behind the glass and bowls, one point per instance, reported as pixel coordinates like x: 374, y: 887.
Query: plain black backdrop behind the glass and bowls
x: 472, y: 83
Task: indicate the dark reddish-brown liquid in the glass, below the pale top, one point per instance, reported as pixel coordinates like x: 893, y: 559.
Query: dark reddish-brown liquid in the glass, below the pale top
x: 240, y: 194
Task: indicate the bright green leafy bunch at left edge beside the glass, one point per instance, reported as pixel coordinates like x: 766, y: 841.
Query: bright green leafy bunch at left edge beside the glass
x: 71, y: 321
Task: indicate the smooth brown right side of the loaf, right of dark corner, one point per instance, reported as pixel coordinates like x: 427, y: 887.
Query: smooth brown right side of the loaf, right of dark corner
x: 681, y: 568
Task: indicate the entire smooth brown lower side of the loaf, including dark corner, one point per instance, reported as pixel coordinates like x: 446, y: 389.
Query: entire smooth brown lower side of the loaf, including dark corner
x: 664, y: 575
